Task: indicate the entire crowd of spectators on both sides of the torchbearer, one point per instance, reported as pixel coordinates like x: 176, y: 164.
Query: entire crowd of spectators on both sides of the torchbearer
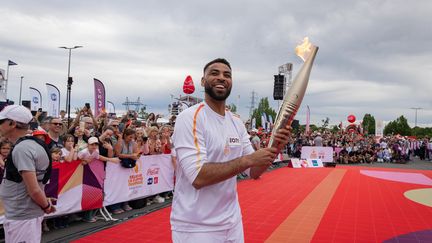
x: 124, y: 139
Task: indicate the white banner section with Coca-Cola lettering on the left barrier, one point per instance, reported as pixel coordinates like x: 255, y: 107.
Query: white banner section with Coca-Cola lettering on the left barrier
x: 152, y: 175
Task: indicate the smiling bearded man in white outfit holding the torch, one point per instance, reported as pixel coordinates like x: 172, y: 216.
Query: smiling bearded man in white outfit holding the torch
x: 212, y: 147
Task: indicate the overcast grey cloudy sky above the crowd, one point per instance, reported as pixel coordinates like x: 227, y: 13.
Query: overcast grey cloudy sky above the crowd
x: 374, y: 56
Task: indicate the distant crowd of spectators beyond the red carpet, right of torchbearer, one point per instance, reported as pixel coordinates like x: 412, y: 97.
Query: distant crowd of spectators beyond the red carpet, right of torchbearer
x: 352, y: 147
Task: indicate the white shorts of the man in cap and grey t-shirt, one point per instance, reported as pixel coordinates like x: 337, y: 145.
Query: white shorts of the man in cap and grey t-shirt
x: 27, y: 230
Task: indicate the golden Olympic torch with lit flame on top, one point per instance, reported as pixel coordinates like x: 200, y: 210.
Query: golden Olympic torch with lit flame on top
x: 292, y: 100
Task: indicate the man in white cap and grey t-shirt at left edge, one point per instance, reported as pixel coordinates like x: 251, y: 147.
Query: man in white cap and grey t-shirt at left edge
x: 24, y: 199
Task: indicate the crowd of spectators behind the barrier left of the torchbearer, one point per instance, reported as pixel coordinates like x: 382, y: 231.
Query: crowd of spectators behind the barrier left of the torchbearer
x: 106, y: 138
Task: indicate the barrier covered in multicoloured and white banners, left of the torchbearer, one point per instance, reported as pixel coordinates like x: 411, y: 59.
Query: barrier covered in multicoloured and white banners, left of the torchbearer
x: 80, y: 187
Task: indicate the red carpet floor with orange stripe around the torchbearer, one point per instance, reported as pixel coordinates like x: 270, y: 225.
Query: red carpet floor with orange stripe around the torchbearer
x: 360, y: 208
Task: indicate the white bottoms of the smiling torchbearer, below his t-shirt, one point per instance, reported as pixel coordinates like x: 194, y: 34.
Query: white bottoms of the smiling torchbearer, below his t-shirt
x: 233, y: 235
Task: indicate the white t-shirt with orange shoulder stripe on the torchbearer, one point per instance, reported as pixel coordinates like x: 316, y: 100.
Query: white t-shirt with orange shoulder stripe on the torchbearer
x: 201, y: 136
